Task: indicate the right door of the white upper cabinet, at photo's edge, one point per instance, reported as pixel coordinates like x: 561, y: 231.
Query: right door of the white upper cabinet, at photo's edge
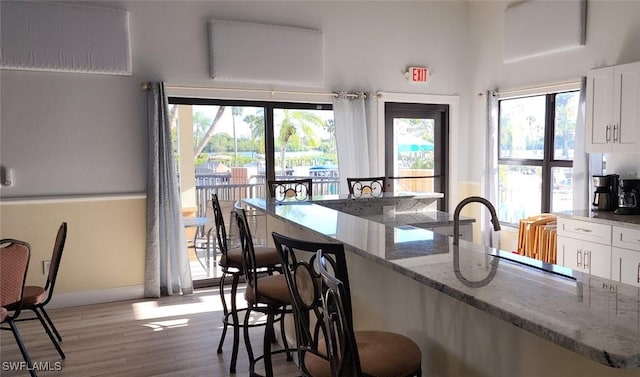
x: 626, y: 113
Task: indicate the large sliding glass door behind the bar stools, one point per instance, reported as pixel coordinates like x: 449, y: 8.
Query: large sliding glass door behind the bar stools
x: 232, y: 147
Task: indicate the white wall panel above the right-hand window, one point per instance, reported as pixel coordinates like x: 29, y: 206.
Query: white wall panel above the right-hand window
x: 539, y: 27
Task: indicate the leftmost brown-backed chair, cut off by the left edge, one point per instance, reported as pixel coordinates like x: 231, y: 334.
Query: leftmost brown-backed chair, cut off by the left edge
x: 14, y: 263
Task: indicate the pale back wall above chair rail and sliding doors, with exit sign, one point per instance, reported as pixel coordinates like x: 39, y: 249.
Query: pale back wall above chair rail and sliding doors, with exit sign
x: 79, y: 133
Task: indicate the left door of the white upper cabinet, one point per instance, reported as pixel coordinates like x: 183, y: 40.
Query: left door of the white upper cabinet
x: 599, y: 109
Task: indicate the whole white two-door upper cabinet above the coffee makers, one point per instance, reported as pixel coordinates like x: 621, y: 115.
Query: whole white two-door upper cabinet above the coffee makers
x: 613, y: 109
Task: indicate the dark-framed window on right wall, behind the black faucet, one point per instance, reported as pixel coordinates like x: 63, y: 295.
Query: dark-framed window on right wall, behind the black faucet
x: 535, y: 154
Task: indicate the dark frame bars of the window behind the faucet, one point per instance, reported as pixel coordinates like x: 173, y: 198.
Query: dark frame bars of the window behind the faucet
x: 548, y: 161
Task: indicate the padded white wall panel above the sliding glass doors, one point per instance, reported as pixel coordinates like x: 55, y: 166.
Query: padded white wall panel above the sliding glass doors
x: 251, y: 52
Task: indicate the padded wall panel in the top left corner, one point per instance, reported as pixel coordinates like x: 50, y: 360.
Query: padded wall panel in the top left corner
x: 47, y: 36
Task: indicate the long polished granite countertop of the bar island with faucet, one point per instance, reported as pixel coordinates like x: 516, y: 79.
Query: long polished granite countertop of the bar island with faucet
x: 594, y: 317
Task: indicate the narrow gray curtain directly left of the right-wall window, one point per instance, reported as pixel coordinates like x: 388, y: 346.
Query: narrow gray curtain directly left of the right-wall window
x: 490, y: 175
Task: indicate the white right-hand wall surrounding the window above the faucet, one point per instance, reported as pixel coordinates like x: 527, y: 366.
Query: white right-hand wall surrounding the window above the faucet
x: 613, y: 30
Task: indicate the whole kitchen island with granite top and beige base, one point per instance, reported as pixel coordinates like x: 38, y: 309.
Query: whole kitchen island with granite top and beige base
x: 472, y: 311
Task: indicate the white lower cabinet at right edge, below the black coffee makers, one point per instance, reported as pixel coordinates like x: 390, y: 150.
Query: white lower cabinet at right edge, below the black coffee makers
x: 625, y: 256
